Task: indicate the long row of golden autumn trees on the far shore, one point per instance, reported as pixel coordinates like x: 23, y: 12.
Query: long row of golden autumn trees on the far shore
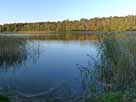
x: 126, y: 23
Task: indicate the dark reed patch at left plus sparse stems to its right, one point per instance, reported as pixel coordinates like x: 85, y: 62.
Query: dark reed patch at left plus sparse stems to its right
x: 13, y: 51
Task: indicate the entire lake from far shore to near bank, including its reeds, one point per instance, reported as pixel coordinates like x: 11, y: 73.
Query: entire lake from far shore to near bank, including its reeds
x: 66, y: 65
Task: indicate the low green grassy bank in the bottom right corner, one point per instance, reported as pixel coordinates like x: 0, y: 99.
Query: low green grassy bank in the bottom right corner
x: 118, y: 96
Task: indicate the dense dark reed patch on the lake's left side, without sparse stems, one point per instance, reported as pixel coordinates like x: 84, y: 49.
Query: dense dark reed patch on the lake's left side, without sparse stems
x: 12, y: 52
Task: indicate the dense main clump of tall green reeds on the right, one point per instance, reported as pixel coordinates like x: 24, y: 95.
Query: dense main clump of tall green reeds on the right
x: 118, y: 62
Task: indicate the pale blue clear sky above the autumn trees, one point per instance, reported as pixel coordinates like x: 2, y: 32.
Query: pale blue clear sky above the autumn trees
x: 58, y: 10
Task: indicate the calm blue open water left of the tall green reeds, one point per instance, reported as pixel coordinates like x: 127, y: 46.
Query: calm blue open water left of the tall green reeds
x: 35, y: 64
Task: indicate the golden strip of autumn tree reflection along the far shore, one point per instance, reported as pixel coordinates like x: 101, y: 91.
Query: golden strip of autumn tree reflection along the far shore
x: 58, y: 37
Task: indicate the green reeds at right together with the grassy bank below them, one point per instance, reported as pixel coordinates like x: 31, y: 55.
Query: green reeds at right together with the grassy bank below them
x: 116, y: 72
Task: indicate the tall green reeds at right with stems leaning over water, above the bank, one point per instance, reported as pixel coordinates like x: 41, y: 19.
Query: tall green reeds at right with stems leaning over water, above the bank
x: 114, y: 69
